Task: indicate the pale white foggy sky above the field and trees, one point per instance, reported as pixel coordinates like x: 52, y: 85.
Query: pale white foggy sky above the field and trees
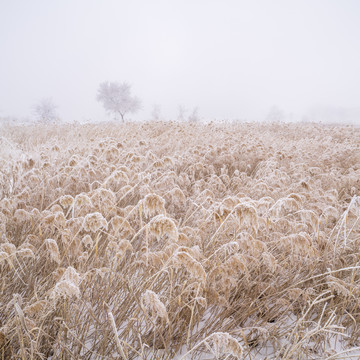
x: 231, y: 58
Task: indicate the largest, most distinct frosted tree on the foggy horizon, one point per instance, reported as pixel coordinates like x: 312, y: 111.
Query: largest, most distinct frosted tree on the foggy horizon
x: 116, y: 99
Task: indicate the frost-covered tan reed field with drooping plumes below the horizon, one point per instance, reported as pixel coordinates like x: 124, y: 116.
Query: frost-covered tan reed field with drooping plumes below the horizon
x: 168, y: 241
